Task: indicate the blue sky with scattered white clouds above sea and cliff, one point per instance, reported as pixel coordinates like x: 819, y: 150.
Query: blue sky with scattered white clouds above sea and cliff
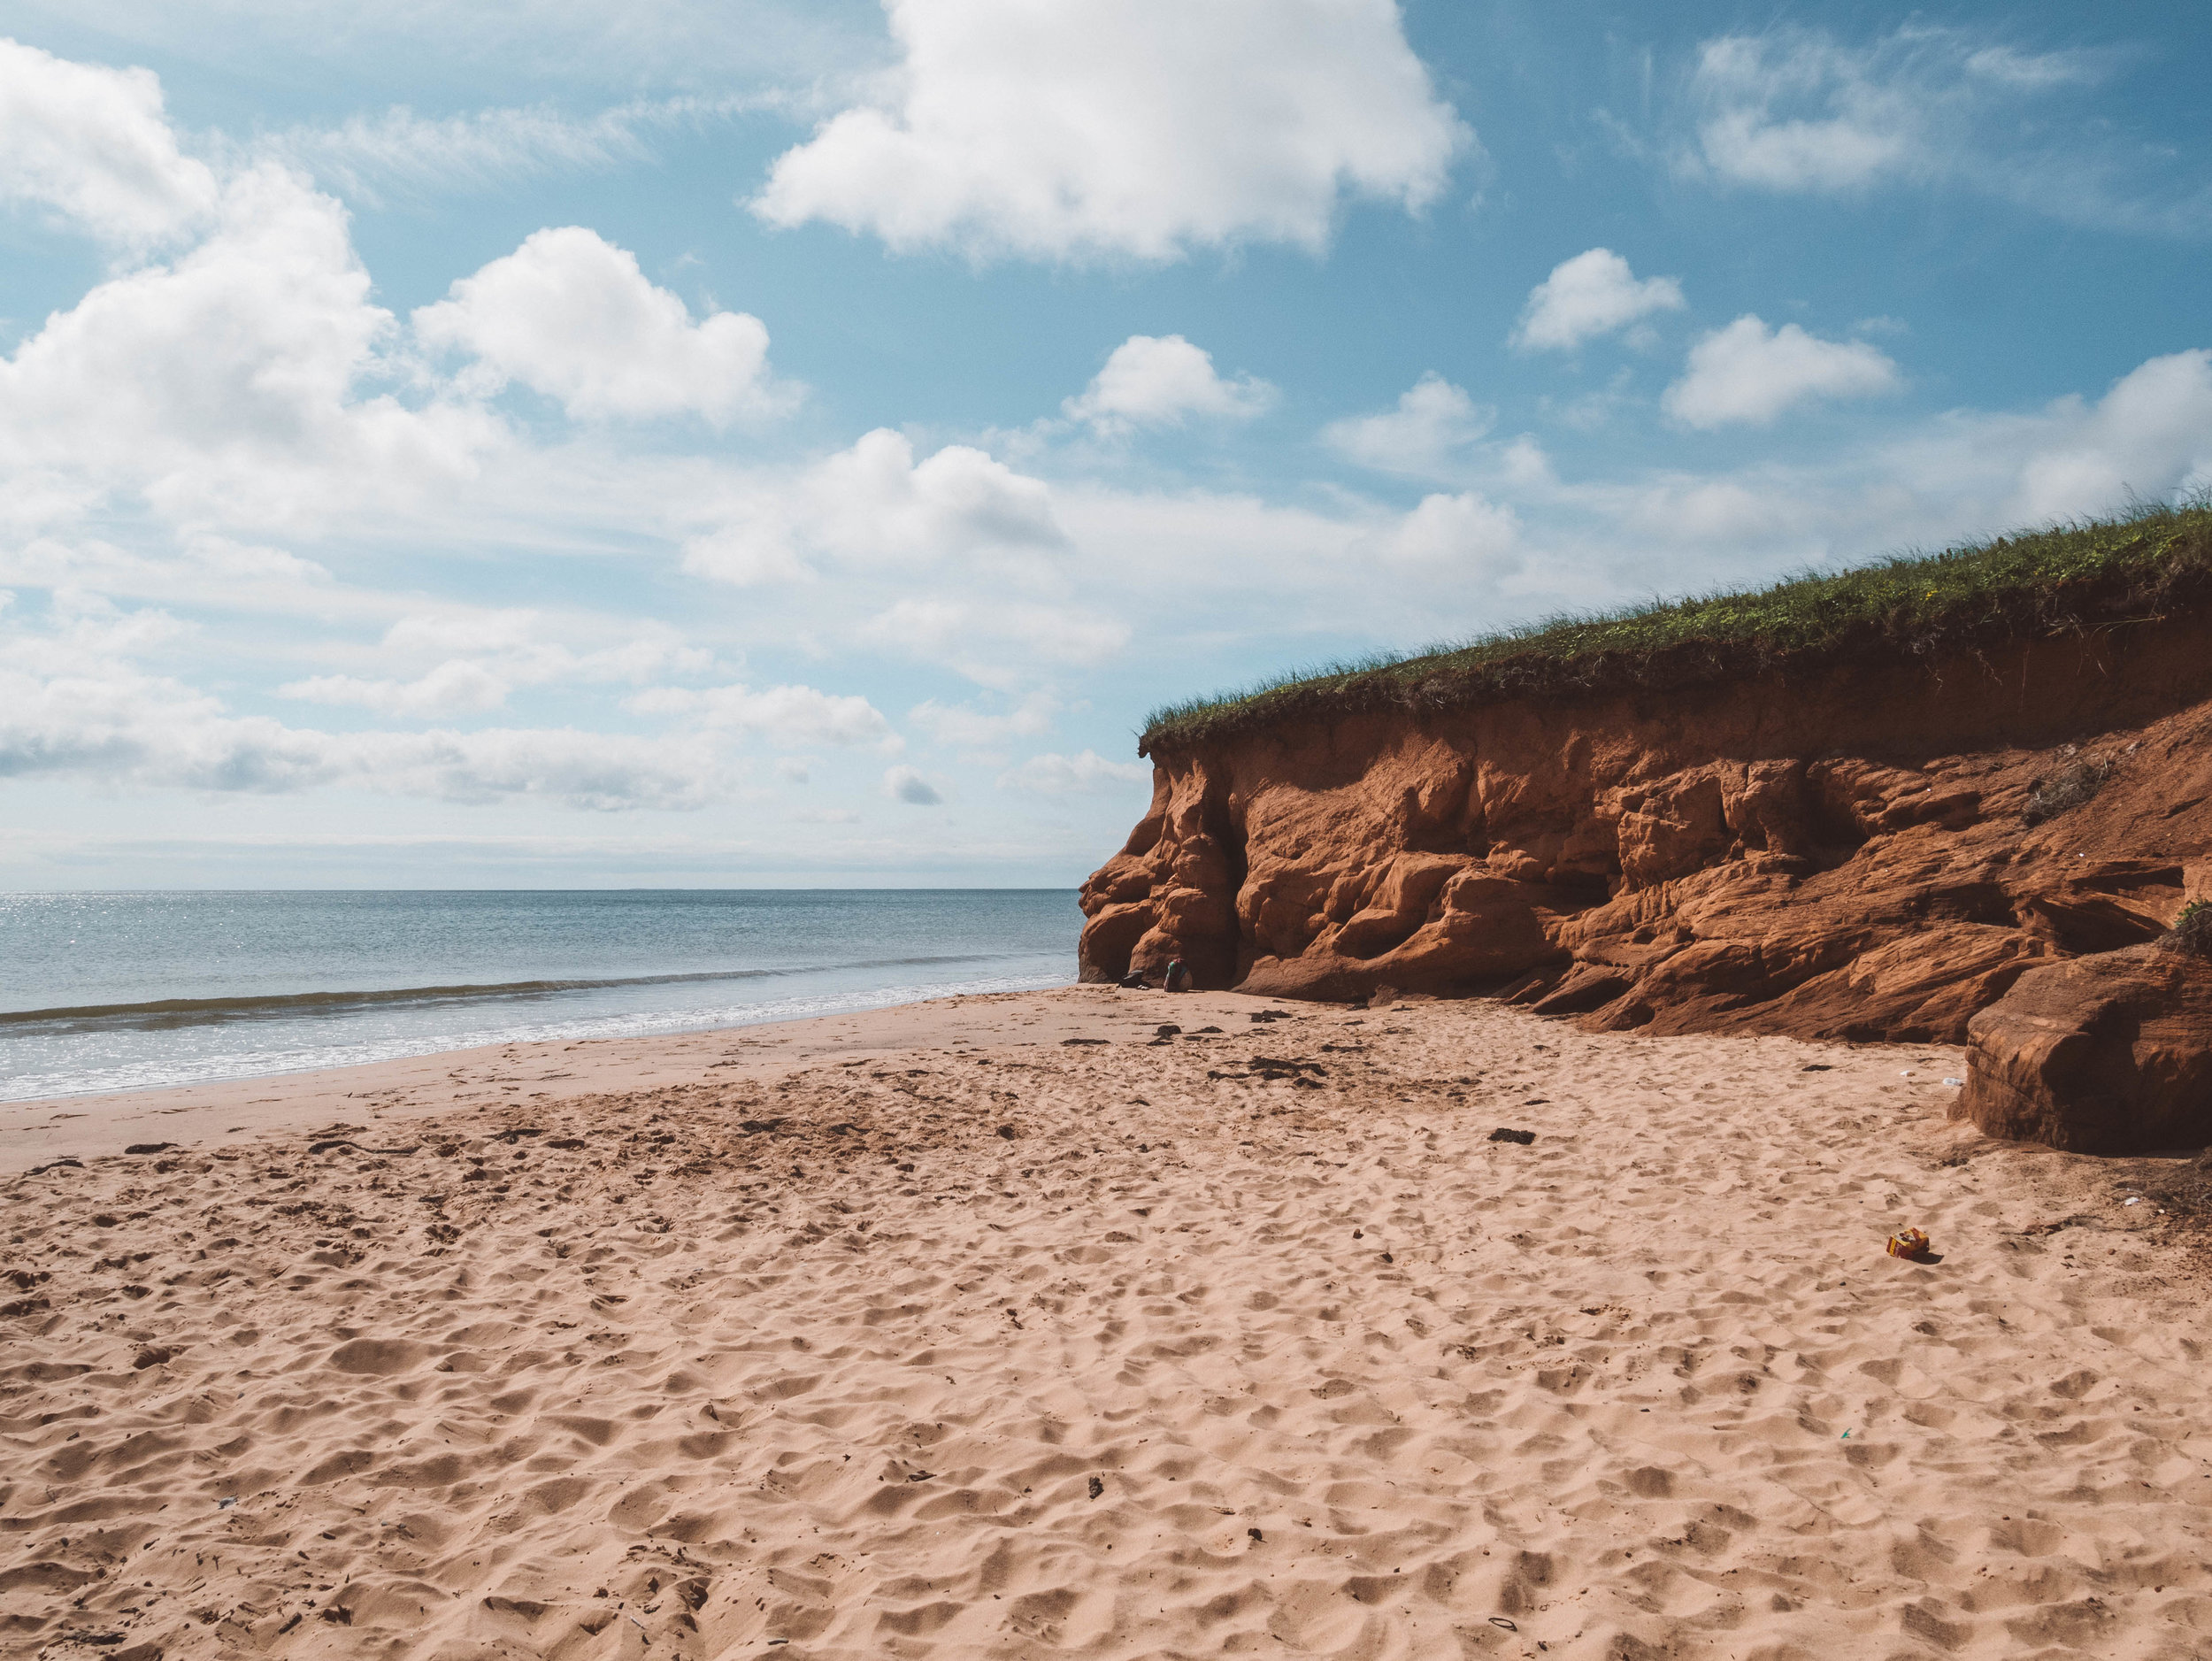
x: 782, y: 446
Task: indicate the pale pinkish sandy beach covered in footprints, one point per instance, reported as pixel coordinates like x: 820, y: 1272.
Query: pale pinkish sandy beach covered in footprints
x: 1010, y: 1328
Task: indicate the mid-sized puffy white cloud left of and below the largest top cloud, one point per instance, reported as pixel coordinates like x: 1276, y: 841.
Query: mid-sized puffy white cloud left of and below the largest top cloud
x: 574, y: 317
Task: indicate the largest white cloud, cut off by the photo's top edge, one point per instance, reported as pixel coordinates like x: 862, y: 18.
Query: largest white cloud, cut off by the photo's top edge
x: 1125, y: 127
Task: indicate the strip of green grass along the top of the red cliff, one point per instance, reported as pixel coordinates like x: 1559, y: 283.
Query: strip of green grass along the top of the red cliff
x: 2091, y: 574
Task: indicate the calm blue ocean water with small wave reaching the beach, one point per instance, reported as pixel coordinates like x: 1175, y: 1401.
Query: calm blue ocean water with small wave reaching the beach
x: 127, y: 992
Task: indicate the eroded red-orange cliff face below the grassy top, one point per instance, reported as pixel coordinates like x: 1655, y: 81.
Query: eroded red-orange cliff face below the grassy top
x: 1848, y: 855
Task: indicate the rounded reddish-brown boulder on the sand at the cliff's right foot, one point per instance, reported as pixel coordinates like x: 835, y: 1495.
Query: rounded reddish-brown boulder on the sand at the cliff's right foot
x: 2098, y: 1056
